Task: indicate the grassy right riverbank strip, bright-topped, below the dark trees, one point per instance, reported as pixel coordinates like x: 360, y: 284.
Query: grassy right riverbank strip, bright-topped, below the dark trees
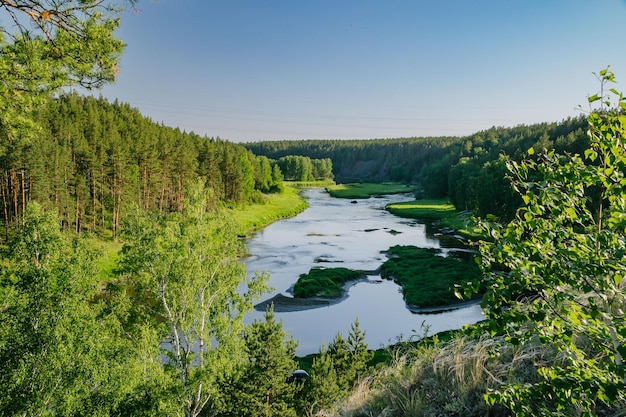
x: 441, y: 211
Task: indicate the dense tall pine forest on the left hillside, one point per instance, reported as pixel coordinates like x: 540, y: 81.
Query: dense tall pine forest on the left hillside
x: 90, y: 161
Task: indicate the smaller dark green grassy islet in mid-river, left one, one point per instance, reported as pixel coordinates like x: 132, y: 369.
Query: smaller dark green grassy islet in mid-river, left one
x: 324, y: 282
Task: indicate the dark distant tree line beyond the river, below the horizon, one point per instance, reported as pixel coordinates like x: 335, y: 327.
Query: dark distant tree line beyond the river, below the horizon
x: 468, y: 170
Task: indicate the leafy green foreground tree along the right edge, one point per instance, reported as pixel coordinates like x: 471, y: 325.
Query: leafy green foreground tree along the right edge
x: 556, y: 270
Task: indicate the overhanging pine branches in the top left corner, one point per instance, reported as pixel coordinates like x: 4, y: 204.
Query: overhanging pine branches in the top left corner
x: 47, y: 45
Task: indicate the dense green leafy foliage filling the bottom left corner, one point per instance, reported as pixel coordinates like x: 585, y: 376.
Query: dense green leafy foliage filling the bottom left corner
x: 63, y: 350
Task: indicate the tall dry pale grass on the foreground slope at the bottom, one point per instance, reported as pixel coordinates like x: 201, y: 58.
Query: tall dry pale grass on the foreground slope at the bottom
x: 443, y: 379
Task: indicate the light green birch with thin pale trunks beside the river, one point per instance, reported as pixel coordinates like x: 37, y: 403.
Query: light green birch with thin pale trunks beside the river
x: 189, y: 263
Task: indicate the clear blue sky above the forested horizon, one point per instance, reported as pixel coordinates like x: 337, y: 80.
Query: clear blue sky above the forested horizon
x: 321, y: 69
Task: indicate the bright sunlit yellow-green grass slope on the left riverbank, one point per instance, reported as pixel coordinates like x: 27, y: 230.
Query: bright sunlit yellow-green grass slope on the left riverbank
x: 252, y: 217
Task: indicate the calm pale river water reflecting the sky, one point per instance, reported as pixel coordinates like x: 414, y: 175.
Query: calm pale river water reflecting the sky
x: 335, y: 232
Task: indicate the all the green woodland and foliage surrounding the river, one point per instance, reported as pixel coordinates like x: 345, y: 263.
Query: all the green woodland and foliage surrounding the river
x: 159, y: 330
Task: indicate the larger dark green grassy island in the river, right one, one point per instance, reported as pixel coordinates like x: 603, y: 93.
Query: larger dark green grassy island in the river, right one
x: 427, y: 279
